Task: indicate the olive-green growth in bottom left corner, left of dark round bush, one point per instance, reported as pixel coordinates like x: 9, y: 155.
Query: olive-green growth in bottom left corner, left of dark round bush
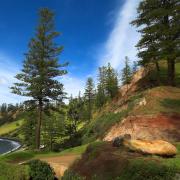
x: 13, y: 172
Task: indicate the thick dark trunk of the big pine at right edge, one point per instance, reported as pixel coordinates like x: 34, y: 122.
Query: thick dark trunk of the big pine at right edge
x: 171, y: 72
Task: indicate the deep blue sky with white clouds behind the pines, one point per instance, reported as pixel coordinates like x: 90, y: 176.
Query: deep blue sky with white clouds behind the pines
x: 94, y: 32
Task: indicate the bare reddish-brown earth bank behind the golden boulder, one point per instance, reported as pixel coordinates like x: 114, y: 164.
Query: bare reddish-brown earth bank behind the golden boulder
x: 164, y: 127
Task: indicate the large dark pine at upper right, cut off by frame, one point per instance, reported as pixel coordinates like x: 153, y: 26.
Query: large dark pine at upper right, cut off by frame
x: 159, y: 21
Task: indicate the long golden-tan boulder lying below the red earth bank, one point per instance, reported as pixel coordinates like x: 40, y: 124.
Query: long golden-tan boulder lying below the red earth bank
x: 156, y: 147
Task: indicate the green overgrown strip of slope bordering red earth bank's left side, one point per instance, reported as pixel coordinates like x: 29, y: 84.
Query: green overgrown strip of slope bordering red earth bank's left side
x: 98, y: 127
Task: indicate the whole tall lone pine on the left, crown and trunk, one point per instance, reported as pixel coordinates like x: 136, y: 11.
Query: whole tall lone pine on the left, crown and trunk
x: 40, y: 68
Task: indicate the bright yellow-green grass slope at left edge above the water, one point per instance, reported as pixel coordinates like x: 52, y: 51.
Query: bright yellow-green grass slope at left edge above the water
x: 10, y: 127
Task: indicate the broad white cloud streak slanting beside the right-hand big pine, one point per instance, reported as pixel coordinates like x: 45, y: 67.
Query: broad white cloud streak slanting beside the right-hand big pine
x: 123, y: 37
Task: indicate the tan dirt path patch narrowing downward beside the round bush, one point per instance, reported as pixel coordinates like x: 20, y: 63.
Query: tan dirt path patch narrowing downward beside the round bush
x: 60, y: 163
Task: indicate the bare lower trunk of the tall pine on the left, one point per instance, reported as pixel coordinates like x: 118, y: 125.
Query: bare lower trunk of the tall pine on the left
x: 38, y: 128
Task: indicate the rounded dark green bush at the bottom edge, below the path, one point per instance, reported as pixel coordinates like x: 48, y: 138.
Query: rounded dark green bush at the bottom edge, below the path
x: 39, y: 170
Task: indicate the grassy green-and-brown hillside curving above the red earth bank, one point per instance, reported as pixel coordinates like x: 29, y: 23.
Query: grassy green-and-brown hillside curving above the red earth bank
x: 158, y: 100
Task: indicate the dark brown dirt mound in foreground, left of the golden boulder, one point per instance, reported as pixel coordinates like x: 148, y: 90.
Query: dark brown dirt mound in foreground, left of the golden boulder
x: 104, y: 162
